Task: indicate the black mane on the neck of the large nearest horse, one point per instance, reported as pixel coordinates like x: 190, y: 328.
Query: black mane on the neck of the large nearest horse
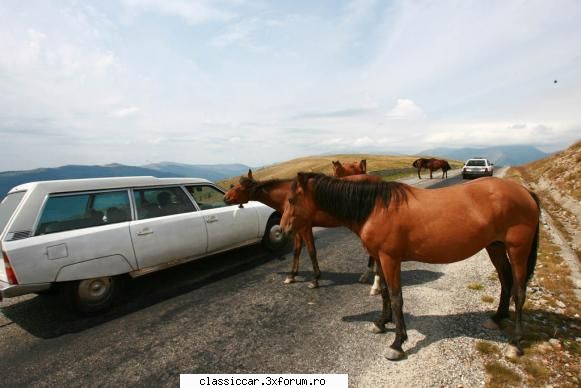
x: 352, y: 201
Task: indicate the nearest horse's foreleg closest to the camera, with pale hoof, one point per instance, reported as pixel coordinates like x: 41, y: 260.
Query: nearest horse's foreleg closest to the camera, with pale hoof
x: 392, y: 273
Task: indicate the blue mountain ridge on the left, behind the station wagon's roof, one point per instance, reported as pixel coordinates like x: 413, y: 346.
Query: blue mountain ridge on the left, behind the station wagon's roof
x: 9, y: 179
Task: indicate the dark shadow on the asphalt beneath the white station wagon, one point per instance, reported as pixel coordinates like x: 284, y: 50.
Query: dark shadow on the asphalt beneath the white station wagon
x: 44, y: 316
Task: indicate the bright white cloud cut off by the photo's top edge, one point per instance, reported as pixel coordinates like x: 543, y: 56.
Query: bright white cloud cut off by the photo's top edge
x: 192, y: 11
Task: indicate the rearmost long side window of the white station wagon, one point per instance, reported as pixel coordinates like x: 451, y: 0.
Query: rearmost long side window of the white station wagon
x: 70, y: 212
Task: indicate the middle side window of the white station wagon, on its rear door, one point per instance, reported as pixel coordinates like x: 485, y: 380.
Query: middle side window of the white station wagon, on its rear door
x: 161, y: 201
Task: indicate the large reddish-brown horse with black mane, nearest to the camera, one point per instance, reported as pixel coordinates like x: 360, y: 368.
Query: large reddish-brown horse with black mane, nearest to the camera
x: 397, y: 222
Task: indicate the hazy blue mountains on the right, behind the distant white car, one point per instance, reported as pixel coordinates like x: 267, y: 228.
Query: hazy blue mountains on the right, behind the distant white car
x: 500, y: 155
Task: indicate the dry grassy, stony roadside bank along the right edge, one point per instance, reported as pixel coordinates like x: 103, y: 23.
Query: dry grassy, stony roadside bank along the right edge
x: 552, y: 321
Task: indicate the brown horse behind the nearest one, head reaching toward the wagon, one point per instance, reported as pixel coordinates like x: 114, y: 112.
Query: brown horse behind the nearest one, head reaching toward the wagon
x: 274, y: 193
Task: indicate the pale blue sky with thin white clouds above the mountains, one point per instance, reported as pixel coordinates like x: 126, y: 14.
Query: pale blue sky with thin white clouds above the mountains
x: 259, y: 82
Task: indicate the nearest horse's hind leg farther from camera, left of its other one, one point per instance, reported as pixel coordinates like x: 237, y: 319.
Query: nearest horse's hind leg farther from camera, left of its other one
x: 497, y: 253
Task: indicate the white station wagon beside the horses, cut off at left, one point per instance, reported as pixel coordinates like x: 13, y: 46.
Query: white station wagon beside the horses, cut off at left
x: 84, y: 235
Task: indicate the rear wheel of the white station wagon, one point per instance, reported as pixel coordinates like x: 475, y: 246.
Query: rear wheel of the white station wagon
x: 90, y: 296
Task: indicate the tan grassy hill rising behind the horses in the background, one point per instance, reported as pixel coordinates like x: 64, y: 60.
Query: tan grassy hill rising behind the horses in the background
x: 323, y: 164
